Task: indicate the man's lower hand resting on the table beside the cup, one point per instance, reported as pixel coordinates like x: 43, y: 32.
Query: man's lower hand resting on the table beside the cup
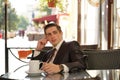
x: 51, y: 68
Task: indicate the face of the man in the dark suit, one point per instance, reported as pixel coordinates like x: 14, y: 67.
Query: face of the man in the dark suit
x: 53, y: 35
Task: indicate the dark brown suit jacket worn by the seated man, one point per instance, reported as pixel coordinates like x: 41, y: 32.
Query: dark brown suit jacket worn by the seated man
x: 69, y: 54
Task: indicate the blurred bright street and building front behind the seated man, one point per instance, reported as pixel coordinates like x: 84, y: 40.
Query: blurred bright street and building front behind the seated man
x: 90, y: 22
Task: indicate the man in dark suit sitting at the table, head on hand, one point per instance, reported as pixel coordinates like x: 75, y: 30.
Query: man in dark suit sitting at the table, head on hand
x: 67, y: 57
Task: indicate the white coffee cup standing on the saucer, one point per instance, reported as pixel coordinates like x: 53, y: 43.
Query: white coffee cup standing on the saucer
x: 35, y: 66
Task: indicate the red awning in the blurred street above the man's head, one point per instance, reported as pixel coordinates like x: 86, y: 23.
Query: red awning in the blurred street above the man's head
x: 47, y: 18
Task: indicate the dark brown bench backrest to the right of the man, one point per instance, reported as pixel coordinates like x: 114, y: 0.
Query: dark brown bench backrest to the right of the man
x: 103, y: 59
